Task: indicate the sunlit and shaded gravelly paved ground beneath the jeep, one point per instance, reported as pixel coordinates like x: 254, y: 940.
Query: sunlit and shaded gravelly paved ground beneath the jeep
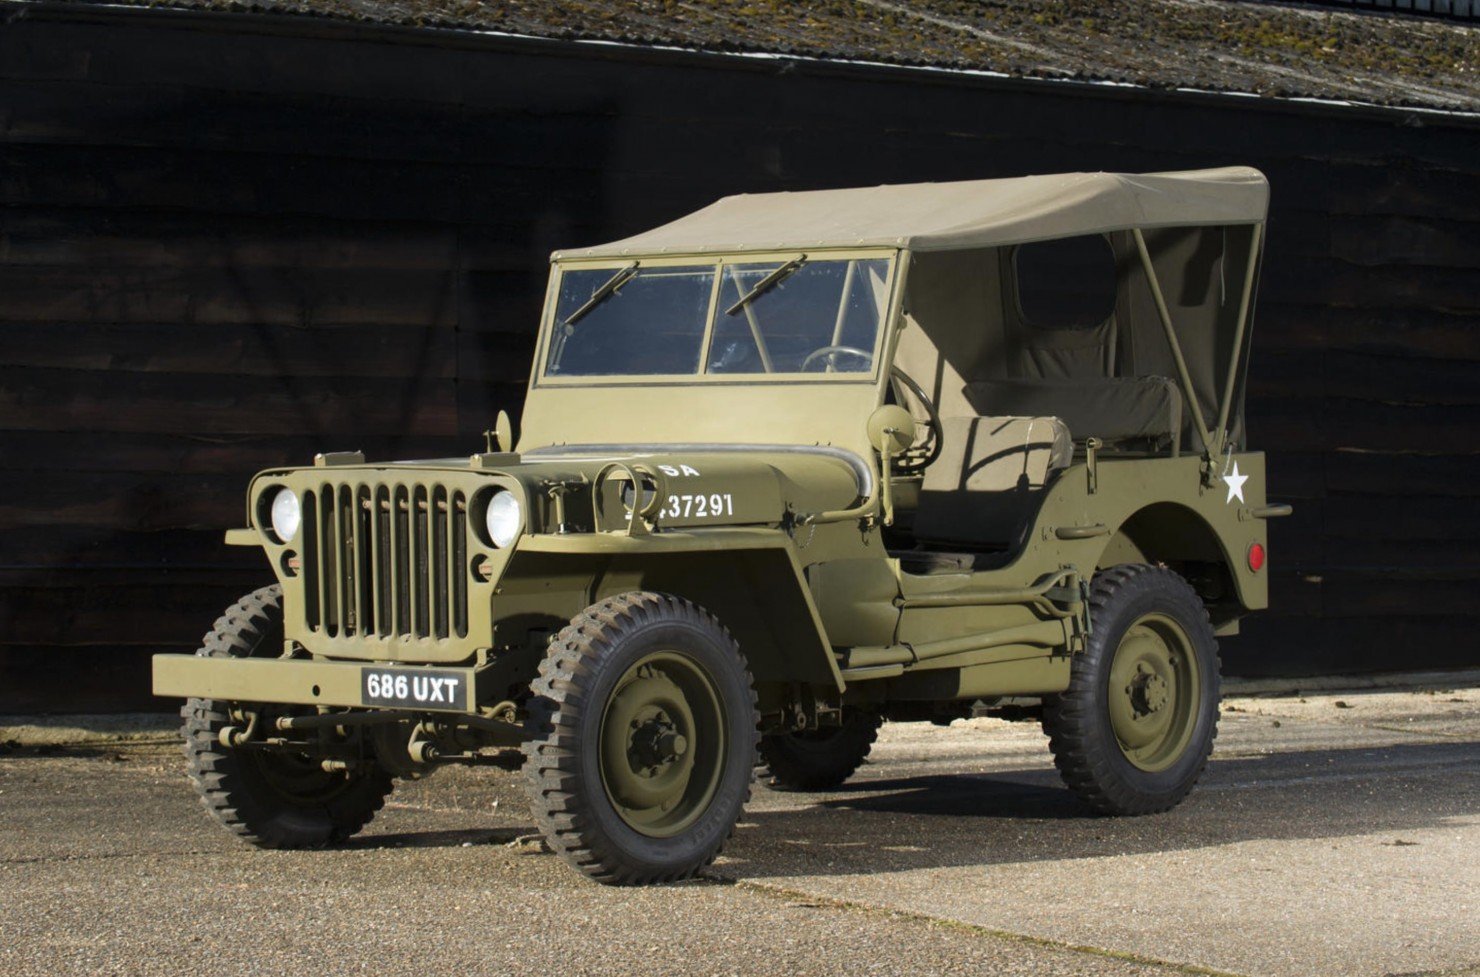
x: 1333, y: 834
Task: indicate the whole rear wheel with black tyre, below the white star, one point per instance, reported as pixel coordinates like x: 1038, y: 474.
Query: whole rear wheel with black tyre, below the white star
x: 1134, y: 731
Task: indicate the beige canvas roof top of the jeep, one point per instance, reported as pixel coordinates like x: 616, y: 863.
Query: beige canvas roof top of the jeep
x: 955, y: 217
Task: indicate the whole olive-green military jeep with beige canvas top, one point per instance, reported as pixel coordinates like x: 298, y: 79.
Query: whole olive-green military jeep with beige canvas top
x: 788, y: 467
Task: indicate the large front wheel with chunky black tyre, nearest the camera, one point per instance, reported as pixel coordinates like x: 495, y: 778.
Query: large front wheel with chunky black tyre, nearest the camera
x: 642, y: 739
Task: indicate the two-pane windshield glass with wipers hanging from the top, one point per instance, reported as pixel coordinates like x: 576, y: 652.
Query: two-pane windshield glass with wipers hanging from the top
x: 750, y: 319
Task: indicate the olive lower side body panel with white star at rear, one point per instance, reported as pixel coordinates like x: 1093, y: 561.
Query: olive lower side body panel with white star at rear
x: 964, y: 634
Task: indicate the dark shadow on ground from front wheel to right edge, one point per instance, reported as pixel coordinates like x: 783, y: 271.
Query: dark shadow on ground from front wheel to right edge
x: 945, y: 821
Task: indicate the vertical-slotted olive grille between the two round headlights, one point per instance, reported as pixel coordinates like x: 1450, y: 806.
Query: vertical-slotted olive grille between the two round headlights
x: 386, y: 562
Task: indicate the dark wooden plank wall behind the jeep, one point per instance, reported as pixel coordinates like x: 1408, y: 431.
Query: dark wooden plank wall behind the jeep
x: 227, y: 244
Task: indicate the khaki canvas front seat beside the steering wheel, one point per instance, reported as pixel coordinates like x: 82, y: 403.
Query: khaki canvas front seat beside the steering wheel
x: 989, y: 480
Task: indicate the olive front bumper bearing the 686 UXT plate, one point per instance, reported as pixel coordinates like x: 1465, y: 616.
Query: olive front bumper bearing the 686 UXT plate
x: 309, y: 683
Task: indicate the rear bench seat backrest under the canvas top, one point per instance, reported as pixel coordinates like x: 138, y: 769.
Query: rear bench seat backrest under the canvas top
x: 1111, y: 409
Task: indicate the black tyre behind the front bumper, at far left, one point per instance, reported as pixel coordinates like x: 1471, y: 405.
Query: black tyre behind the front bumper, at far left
x: 270, y: 800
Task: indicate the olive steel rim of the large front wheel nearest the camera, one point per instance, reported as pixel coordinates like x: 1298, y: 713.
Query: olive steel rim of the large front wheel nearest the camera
x: 662, y: 745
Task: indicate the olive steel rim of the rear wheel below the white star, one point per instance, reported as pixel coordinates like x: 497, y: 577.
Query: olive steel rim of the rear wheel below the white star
x: 1154, y: 695
